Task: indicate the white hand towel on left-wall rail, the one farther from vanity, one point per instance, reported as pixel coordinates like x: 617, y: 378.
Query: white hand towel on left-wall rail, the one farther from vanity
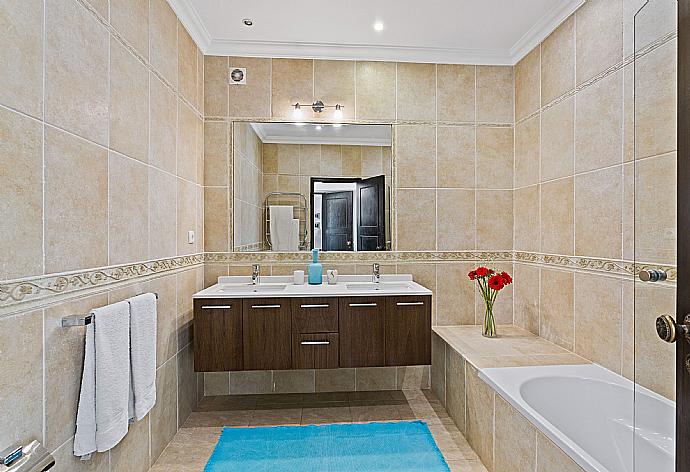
x: 102, y: 415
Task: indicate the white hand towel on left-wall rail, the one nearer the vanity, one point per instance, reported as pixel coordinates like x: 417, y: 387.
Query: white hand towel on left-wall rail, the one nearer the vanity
x: 143, y: 352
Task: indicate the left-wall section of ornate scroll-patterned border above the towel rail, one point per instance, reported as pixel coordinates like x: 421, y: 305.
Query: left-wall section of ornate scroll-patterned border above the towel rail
x: 37, y: 291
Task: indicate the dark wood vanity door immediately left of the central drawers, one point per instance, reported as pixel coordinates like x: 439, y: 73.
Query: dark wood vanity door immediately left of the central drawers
x: 266, y: 334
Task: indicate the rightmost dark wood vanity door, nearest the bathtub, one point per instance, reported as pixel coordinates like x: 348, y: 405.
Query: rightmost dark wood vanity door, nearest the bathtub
x: 408, y: 330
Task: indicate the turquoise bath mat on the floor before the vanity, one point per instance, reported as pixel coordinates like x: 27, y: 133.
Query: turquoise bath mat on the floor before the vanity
x: 370, y: 447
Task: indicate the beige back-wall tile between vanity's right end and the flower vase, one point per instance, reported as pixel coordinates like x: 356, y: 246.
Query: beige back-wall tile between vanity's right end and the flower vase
x: 454, y: 295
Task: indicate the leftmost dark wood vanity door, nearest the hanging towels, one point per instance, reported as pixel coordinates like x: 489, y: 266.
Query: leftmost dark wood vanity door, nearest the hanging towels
x: 217, y: 335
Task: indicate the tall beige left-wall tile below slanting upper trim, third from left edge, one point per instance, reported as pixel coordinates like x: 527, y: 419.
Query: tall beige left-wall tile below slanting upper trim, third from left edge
x: 129, y: 103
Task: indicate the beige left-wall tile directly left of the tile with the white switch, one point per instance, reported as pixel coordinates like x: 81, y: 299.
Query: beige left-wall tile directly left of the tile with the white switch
x: 162, y: 224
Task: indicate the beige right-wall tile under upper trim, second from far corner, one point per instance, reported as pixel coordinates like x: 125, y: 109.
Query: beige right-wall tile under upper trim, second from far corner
x: 557, y: 140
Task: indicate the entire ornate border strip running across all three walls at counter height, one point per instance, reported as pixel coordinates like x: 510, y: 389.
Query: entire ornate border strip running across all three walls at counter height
x: 30, y: 293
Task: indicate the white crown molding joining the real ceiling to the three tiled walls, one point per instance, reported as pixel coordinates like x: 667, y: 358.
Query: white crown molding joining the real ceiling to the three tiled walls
x: 192, y: 21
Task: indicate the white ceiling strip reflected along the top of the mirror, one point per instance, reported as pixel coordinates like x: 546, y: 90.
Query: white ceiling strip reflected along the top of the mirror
x: 314, y: 133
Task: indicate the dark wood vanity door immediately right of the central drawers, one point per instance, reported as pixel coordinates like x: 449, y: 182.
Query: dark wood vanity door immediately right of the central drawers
x: 361, y: 323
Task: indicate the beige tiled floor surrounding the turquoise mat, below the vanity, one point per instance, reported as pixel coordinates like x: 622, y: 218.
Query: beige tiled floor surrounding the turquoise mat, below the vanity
x: 192, y: 446
